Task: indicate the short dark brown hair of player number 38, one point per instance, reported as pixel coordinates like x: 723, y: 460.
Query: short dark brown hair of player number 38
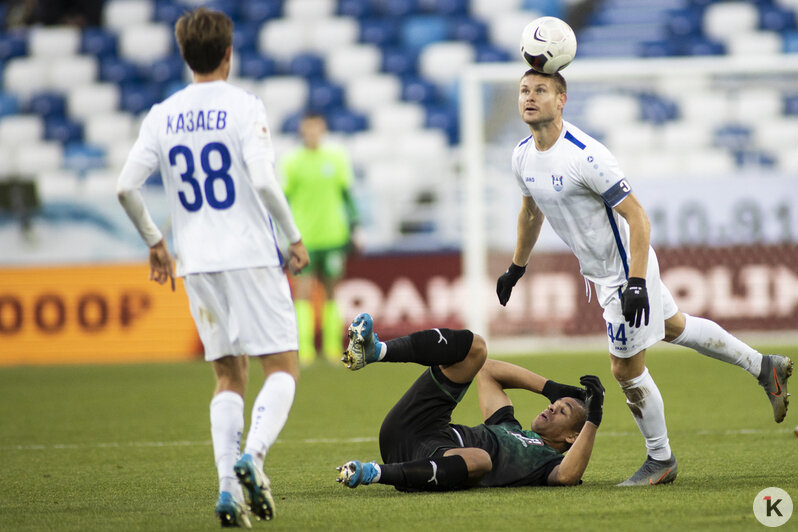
x: 204, y: 36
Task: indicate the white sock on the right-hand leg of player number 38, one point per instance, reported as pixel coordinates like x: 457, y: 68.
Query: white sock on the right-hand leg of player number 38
x: 269, y: 414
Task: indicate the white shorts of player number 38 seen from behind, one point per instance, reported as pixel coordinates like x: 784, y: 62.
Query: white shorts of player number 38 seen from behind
x: 243, y: 312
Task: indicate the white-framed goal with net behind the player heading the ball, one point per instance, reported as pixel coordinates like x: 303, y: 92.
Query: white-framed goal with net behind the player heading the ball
x: 710, y: 146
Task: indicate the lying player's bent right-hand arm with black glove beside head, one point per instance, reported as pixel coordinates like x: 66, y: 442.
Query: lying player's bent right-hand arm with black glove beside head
x: 569, y: 472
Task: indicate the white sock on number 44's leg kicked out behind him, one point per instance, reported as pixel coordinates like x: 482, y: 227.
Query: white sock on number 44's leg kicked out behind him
x: 710, y: 339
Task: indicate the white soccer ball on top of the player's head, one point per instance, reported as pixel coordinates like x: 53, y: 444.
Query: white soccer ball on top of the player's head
x: 548, y: 44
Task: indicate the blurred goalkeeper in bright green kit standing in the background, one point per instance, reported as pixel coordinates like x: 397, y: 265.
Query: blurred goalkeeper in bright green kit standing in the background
x: 317, y: 178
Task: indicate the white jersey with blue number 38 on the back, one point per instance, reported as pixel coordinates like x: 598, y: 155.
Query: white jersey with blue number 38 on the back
x: 204, y: 138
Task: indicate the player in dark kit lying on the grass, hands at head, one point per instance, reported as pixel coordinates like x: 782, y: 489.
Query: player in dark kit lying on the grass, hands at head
x: 423, y: 451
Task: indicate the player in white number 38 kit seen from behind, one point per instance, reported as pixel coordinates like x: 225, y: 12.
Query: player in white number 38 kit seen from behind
x: 212, y: 144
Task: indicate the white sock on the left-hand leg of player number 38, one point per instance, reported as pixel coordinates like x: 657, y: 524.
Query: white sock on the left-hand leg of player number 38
x: 227, y: 425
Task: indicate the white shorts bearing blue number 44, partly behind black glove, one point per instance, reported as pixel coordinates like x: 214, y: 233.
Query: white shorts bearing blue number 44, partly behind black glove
x: 626, y: 341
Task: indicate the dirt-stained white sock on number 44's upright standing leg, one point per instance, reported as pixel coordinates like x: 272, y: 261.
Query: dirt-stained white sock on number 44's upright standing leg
x: 648, y: 409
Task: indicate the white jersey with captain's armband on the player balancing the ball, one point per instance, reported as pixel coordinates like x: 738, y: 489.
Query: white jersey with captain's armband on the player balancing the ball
x: 576, y: 183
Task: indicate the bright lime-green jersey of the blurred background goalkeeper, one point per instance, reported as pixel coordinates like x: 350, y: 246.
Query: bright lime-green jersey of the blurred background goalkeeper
x: 314, y: 182
